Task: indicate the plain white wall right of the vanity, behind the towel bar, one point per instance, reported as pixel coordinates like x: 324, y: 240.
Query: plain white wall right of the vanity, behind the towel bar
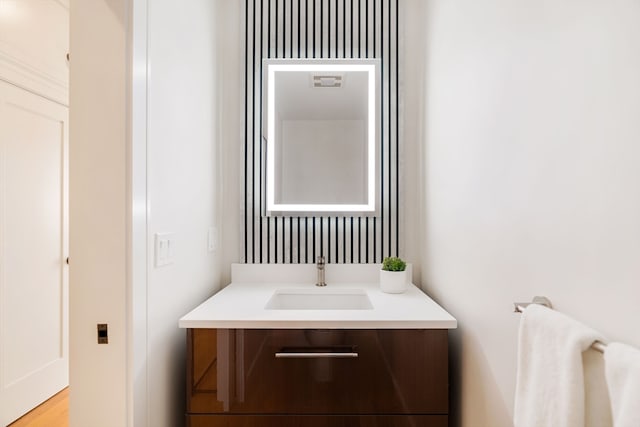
x: 527, y: 120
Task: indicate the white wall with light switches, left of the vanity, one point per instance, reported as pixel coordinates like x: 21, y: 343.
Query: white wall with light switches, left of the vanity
x: 184, y: 193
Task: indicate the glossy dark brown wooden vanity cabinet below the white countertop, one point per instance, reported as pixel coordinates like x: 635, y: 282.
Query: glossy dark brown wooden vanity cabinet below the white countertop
x: 317, y: 378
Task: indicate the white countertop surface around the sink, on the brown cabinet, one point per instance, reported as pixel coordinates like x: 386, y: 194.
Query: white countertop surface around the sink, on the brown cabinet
x: 243, y: 306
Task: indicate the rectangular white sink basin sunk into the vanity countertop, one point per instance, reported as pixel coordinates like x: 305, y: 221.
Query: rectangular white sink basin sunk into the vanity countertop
x: 319, y: 299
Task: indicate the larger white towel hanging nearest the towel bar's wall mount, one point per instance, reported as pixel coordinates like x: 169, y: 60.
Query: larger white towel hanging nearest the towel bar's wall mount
x: 549, y: 382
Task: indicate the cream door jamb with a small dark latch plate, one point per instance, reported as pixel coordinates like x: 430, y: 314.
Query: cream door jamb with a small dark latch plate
x: 98, y: 209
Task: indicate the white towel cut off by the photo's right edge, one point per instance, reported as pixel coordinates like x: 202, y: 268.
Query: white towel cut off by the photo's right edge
x: 622, y: 370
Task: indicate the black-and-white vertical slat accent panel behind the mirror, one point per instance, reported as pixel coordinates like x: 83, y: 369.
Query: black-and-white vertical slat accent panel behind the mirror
x: 321, y: 29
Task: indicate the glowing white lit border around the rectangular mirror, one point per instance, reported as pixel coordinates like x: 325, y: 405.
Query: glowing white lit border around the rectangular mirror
x: 371, y: 66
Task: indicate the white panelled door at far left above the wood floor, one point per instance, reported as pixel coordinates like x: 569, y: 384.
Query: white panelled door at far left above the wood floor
x: 33, y: 250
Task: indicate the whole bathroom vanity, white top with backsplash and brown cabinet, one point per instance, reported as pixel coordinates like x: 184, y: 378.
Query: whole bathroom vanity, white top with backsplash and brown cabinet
x: 271, y: 349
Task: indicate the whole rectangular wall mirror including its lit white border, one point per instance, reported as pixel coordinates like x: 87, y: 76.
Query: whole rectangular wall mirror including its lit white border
x: 321, y: 137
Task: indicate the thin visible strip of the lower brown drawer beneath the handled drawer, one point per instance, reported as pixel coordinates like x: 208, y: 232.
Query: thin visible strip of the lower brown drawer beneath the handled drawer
x: 317, y: 421
